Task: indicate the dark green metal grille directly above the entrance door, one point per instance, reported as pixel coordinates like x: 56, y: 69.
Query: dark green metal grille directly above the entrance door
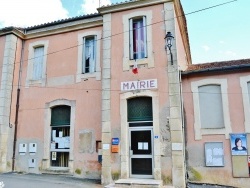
x: 140, y: 109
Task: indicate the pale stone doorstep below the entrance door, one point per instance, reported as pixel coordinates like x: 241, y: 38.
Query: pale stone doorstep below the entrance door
x: 145, y: 183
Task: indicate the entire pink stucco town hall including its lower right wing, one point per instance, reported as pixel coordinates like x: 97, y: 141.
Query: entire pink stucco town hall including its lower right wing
x: 70, y: 102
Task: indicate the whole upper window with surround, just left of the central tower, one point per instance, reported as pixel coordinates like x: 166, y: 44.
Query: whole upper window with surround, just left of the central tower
x: 89, y: 50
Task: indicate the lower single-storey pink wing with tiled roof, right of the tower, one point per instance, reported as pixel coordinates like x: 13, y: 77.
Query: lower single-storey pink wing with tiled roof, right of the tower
x: 216, y: 102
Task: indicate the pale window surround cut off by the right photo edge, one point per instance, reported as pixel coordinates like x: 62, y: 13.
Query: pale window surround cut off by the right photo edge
x: 246, y: 103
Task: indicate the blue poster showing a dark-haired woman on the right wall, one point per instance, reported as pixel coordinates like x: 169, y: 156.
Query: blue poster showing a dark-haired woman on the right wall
x: 238, y: 144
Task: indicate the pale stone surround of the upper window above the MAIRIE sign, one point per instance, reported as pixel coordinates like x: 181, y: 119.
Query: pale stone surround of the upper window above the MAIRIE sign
x: 127, y: 61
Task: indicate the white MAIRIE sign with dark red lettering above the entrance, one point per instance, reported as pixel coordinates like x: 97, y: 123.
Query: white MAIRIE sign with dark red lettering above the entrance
x: 140, y: 84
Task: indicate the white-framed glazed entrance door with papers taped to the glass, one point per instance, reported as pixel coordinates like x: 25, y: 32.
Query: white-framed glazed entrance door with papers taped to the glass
x: 141, y: 152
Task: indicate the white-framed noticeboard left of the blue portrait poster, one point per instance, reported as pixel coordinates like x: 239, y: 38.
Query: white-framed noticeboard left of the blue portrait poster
x: 214, y: 154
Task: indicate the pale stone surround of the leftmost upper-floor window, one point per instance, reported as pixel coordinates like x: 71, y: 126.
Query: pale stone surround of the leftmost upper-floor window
x: 29, y: 77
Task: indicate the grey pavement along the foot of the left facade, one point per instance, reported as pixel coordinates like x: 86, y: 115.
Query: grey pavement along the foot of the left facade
x: 15, y: 180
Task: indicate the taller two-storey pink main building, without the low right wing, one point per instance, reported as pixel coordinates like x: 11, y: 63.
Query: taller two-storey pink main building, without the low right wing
x: 70, y: 103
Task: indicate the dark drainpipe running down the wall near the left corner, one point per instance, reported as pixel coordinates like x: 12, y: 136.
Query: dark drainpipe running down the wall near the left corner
x: 17, y: 107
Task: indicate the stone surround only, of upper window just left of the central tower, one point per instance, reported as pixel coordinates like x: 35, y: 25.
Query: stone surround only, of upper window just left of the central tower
x: 97, y: 73
